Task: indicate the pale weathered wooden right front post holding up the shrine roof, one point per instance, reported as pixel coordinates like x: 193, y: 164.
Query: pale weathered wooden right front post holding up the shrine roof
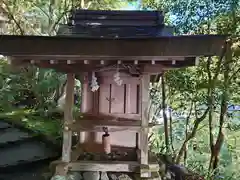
x: 144, y: 123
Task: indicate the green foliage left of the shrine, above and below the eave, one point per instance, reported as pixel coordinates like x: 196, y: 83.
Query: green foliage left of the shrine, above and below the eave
x: 33, y: 88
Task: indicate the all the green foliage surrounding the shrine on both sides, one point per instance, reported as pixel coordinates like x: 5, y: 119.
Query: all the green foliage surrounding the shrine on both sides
x: 195, y: 96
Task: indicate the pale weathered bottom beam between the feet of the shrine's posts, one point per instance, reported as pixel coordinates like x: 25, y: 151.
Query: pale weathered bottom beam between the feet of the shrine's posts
x: 107, y: 166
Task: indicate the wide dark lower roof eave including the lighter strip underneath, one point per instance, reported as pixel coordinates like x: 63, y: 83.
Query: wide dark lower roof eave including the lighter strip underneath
x: 64, y: 49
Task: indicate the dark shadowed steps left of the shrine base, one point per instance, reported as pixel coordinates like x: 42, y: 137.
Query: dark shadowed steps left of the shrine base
x: 22, y: 155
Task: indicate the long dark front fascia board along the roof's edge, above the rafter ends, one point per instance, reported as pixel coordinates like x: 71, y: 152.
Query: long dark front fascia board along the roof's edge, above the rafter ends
x: 52, y: 46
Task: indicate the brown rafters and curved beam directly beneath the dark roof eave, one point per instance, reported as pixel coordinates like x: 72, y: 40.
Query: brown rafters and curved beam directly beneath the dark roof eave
x: 77, y: 67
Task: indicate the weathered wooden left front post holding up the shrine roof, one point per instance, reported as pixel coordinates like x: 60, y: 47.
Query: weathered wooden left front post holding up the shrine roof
x: 68, y: 118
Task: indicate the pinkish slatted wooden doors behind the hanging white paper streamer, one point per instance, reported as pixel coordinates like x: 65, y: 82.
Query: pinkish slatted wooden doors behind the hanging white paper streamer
x: 121, y: 100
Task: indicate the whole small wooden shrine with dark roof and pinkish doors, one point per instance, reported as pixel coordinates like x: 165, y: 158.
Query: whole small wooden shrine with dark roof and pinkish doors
x: 116, y: 54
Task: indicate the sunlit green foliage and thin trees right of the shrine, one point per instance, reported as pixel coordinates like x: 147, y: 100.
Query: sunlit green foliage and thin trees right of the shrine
x: 194, y: 91
